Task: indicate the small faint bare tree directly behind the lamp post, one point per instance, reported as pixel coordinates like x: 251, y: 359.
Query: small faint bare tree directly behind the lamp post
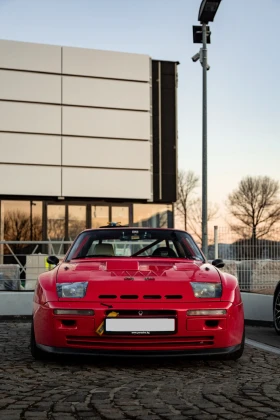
x: 196, y: 217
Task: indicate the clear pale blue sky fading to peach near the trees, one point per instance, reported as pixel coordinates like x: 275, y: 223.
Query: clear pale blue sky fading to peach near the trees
x: 243, y: 82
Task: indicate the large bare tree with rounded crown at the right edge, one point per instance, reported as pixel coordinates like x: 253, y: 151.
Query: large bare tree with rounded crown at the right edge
x: 256, y: 206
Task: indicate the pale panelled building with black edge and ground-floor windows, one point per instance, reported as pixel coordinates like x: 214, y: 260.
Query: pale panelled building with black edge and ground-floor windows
x: 86, y: 137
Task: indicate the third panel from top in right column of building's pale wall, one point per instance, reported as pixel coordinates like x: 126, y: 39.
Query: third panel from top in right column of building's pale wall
x: 106, y: 123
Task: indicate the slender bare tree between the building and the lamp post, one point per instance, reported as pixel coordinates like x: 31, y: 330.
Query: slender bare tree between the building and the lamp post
x: 187, y: 183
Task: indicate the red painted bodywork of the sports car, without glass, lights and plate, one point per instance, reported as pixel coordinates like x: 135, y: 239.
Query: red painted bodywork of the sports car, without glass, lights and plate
x: 137, y: 287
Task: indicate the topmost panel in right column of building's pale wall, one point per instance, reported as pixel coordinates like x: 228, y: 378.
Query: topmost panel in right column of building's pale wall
x: 105, y: 64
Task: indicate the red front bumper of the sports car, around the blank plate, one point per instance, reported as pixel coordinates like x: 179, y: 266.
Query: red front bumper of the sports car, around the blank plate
x: 194, y: 335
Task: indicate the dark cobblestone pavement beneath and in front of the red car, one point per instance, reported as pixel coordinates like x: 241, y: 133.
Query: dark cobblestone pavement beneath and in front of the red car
x: 114, y: 389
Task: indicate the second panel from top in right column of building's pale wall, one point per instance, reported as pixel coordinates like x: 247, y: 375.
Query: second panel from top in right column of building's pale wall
x: 85, y: 91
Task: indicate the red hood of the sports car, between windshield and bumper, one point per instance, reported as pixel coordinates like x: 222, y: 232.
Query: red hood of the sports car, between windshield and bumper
x: 133, y: 280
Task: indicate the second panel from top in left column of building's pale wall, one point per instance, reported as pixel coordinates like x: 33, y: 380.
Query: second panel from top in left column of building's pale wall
x: 30, y: 87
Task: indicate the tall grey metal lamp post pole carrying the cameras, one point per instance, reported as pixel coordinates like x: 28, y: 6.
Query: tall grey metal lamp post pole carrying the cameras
x: 204, y: 143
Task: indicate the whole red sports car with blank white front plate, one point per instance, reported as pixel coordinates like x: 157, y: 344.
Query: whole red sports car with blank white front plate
x: 135, y: 292
